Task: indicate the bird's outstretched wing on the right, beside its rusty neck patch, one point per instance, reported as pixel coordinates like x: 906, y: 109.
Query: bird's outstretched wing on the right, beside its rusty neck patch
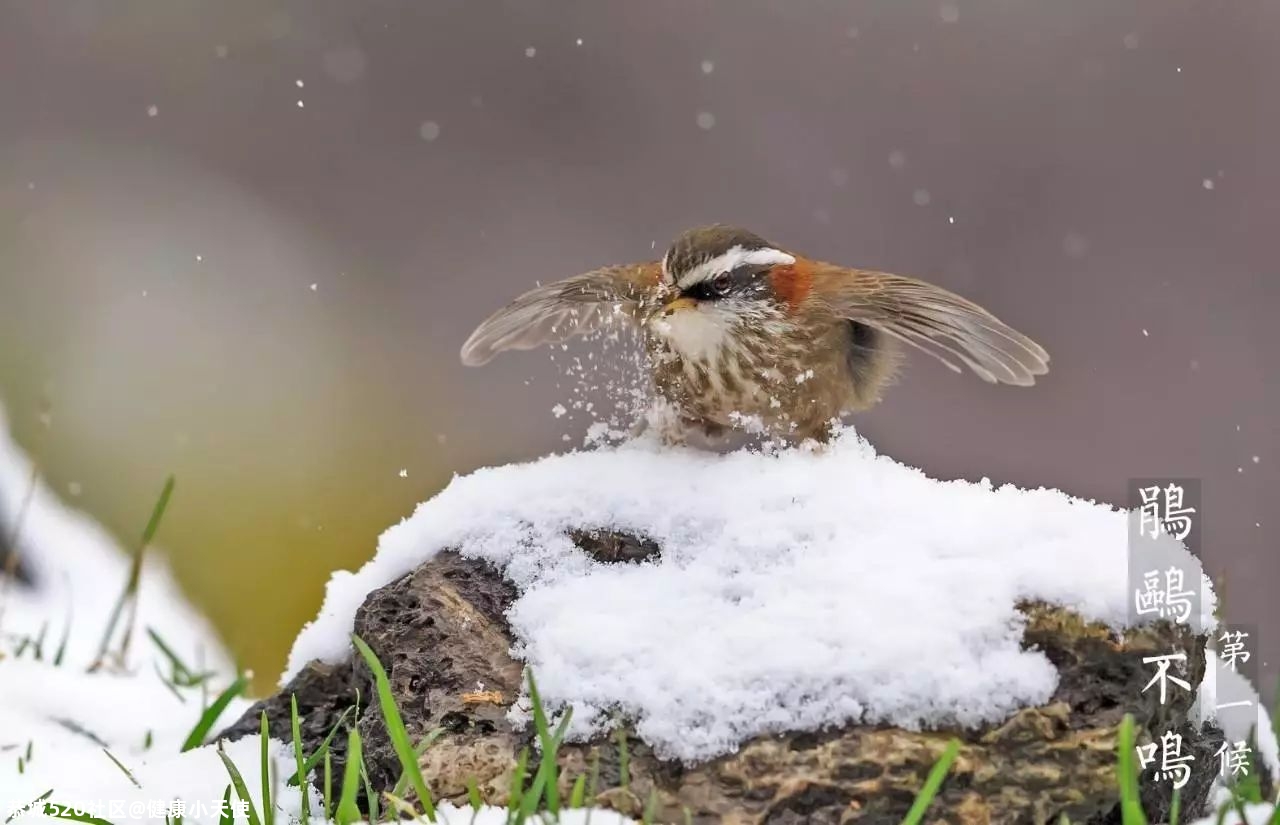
x: 939, y: 323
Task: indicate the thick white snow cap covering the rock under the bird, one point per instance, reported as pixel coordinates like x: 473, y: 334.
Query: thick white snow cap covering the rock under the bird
x: 796, y: 590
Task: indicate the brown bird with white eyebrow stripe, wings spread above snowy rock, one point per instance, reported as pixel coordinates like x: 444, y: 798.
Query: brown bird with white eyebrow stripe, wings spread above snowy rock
x: 742, y: 332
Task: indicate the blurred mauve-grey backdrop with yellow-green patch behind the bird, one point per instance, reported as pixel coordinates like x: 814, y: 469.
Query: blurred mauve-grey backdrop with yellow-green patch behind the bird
x: 243, y: 242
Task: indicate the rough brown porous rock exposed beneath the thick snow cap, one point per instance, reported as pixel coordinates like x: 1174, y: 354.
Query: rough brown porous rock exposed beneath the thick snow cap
x: 441, y: 634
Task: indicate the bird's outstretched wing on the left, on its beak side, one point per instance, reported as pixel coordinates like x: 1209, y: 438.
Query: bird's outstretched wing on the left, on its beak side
x: 556, y: 313
